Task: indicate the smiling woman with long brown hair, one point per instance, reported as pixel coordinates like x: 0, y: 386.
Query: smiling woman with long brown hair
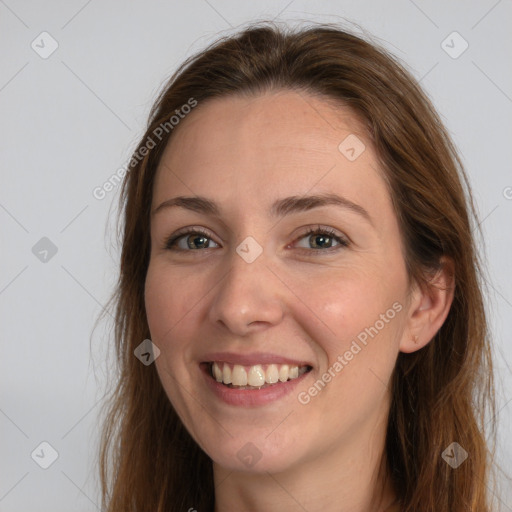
x: 298, y: 248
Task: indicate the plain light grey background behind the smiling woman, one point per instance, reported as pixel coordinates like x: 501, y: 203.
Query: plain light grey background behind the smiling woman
x: 70, y: 120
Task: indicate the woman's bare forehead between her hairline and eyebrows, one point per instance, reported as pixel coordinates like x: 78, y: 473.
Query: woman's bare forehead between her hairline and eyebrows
x: 256, y: 149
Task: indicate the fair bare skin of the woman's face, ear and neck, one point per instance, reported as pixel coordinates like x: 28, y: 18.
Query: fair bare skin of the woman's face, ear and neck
x: 244, y: 153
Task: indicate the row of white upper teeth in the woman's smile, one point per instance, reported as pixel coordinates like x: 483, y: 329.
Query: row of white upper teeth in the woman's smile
x: 256, y: 375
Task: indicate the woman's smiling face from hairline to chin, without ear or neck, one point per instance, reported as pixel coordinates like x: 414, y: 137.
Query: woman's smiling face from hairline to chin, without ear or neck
x: 253, y: 290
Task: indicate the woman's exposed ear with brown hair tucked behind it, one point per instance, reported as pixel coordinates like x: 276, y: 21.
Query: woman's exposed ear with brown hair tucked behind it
x: 429, y: 306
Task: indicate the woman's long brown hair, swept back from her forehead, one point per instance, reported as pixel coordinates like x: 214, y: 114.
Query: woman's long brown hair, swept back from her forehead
x: 441, y: 394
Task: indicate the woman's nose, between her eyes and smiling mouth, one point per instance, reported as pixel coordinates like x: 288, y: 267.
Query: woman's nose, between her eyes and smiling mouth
x: 249, y: 298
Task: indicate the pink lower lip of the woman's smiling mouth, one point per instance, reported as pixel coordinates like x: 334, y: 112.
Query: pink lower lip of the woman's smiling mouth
x: 250, y: 397
